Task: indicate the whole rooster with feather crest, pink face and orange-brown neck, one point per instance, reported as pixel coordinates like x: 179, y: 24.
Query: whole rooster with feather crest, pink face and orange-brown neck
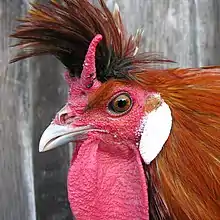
x: 147, y: 140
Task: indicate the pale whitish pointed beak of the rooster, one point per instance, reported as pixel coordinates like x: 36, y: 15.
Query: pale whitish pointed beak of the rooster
x: 58, y: 135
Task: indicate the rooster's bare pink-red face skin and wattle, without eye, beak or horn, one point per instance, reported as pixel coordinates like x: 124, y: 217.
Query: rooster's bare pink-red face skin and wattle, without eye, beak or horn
x: 106, y: 179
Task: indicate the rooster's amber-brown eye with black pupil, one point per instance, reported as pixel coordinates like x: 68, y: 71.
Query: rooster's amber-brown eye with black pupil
x: 120, y: 104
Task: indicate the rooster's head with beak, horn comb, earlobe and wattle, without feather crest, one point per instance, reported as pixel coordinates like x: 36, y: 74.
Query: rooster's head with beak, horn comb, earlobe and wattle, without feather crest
x: 115, y: 125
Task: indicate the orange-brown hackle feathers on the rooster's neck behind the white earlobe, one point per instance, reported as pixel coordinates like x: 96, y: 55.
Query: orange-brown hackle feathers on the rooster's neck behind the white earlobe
x: 186, y: 174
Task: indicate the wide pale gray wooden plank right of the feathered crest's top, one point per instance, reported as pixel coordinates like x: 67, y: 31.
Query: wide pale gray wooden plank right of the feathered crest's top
x: 169, y: 26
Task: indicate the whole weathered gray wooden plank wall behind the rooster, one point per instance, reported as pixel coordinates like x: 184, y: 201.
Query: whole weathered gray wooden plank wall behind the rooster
x: 33, y: 185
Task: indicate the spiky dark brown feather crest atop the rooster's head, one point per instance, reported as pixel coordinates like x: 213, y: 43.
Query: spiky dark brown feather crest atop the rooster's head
x: 66, y: 30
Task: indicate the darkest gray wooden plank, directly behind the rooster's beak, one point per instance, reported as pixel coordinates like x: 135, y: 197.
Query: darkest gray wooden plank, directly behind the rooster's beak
x: 50, y: 168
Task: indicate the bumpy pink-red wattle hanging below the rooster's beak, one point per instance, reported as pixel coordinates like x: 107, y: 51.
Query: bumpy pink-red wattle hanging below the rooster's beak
x: 105, y: 184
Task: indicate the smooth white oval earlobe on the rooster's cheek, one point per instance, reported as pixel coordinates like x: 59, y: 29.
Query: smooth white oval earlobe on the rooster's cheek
x: 155, y: 130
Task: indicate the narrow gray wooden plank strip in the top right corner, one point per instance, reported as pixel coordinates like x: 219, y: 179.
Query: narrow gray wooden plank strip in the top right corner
x: 208, y: 32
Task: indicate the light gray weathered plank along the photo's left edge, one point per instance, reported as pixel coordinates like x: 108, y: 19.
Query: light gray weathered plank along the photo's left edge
x: 16, y: 177
